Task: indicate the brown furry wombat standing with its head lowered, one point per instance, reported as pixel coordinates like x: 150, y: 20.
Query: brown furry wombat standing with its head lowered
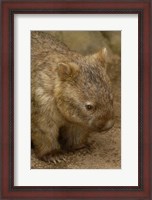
x: 71, y: 96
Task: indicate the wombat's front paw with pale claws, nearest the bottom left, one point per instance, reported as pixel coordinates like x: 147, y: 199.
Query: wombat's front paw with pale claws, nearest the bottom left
x: 54, y: 159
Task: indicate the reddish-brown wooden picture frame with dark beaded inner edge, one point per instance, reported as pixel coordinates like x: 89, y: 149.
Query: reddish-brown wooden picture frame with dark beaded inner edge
x: 144, y: 10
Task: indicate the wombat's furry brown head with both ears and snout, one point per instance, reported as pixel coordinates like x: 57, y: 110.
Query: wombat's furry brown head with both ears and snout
x: 83, y: 92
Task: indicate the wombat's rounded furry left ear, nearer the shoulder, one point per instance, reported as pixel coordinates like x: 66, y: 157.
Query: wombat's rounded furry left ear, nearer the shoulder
x: 67, y: 70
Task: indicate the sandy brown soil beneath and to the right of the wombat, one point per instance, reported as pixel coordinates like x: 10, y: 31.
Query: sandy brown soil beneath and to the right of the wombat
x: 105, y: 150
